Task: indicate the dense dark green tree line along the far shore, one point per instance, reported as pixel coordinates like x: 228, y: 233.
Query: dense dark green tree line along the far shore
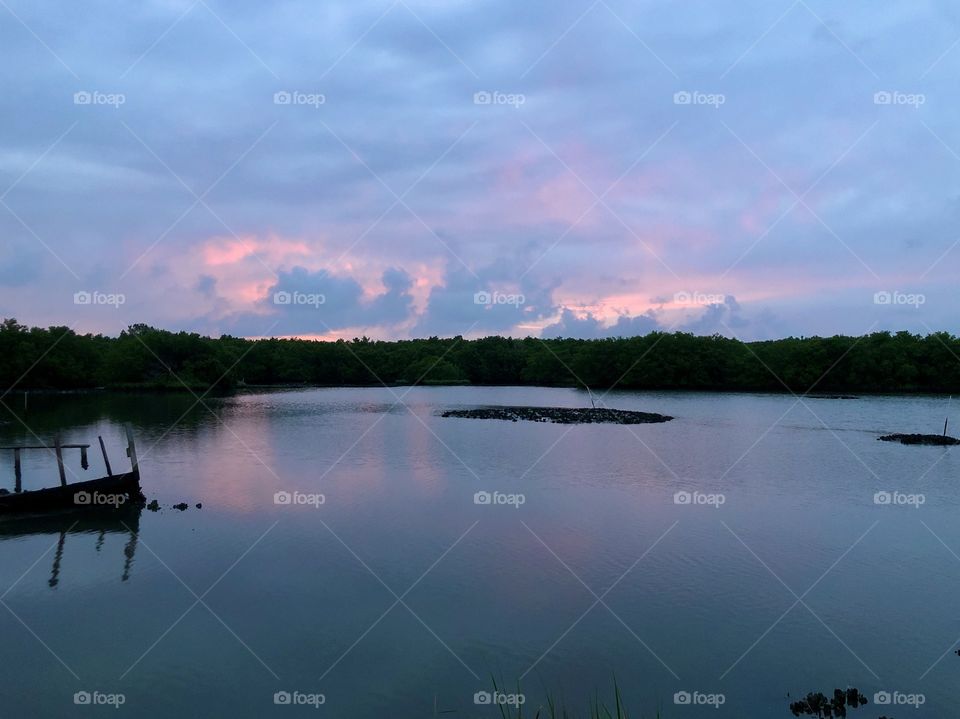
x: 144, y: 357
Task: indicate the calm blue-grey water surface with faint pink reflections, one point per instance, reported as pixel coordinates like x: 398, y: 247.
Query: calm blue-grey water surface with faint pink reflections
x: 399, y: 596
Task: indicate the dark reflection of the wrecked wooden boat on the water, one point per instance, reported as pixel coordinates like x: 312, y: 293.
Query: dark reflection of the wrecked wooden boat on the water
x: 84, y: 523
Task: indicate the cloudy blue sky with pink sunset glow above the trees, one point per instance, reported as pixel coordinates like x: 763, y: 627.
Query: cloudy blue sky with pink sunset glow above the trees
x: 411, y: 168
